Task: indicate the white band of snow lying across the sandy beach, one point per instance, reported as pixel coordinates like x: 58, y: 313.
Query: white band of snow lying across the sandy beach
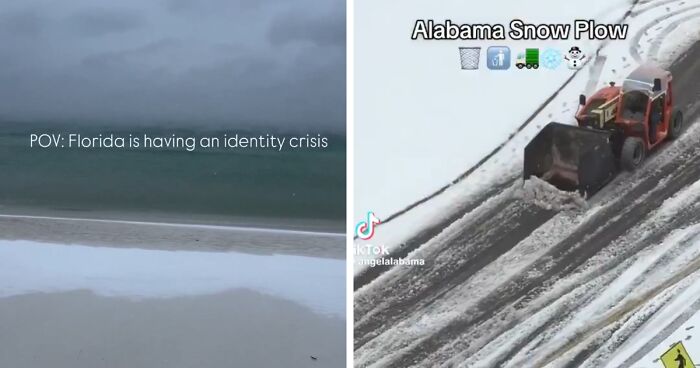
x: 30, y: 267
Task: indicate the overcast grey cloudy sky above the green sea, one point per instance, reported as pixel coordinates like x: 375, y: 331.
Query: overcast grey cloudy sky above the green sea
x: 275, y: 62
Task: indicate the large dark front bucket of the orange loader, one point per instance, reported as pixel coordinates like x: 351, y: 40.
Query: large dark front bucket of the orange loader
x: 571, y: 158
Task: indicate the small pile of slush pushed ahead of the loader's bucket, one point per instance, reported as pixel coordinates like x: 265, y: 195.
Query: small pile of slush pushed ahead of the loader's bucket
x: 542, y: 194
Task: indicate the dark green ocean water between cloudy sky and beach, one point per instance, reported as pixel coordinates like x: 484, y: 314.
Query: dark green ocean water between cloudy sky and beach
x: 266, y: 185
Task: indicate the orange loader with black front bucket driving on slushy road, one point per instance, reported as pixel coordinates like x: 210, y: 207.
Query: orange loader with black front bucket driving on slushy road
x: 617, y: 126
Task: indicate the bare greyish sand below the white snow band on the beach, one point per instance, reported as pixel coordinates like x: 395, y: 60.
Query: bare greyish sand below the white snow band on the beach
x: 234, y: 329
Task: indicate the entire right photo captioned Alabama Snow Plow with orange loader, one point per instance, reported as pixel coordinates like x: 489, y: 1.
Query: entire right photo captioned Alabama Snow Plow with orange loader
x: 526, y: 184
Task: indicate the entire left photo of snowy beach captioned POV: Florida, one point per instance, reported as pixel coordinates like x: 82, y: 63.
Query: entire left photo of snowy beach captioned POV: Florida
x: 172, y: 183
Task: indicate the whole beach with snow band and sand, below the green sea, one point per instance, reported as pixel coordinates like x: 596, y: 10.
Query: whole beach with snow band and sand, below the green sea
x: 170, y: 294
